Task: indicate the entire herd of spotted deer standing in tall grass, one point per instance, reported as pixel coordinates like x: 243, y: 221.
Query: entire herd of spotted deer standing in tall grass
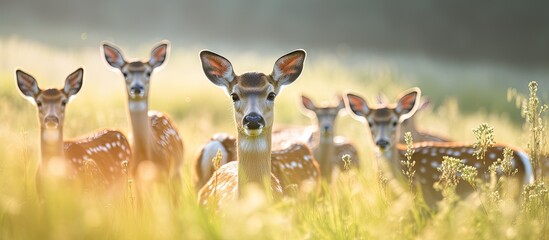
x: 286, y: 162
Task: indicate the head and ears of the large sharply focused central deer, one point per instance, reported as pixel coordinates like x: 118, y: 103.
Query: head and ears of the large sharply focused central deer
x: 253, y: 93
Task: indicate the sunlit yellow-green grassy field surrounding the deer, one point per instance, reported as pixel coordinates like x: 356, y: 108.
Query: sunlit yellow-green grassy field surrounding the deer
x: 355, y: 209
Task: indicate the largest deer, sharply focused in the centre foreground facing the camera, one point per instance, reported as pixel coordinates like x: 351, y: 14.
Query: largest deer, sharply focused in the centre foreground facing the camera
x: 253, y: 95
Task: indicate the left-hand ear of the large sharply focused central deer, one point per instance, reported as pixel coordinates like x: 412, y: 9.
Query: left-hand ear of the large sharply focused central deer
x: 217, y: 68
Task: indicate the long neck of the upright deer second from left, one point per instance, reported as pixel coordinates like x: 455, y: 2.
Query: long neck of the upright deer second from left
x: 141, y: 131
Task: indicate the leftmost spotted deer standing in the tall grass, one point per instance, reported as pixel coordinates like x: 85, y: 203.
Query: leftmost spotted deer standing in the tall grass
x: 98, y: 161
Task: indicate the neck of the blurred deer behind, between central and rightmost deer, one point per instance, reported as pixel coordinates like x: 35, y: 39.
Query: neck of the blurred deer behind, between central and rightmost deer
x: 325, y: 153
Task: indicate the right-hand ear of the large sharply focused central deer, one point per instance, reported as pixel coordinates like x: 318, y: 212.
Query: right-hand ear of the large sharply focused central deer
x: 288, y: 67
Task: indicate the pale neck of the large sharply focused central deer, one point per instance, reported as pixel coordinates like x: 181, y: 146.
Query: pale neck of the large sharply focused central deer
x: 254, y: 160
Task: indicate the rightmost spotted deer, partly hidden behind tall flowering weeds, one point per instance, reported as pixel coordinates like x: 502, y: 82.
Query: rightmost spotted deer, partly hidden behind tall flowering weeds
x: 384, y: 122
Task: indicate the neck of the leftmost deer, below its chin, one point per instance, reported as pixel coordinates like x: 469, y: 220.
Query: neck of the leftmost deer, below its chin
x: 51, y: 144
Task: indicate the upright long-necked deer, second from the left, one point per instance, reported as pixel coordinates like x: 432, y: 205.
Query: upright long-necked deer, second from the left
x: 156, y: 143
